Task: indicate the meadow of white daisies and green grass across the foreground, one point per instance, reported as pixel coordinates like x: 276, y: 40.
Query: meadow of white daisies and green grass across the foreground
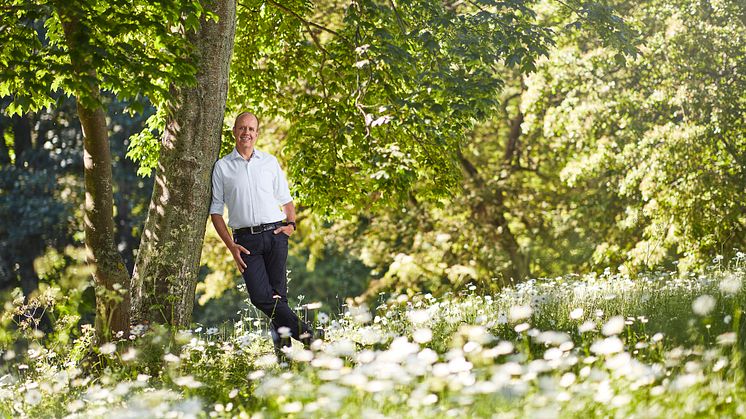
x: 609, y: 345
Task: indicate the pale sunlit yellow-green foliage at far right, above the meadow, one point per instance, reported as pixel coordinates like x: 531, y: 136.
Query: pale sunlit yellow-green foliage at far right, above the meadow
x: 654, y: 146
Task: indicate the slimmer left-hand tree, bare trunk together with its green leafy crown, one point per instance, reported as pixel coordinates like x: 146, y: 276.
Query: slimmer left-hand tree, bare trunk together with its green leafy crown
x: 80, y: 48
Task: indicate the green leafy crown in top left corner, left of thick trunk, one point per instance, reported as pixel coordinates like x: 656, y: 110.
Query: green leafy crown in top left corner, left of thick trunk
x: 134, y: 49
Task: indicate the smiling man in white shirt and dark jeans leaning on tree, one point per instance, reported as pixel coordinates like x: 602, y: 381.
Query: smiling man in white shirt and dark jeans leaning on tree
x: 252, y: 185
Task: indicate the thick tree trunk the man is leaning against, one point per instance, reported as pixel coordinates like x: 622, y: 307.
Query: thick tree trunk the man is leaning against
x: 167, y: 263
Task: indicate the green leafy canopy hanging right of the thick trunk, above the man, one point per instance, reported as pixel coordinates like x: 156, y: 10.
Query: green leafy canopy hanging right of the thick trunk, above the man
x: 379, y: 95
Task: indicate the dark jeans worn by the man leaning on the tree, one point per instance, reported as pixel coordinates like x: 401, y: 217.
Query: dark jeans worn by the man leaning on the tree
x: 266, y: 277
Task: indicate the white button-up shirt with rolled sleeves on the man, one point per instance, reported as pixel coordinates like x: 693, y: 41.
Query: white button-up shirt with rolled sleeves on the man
x: 253, y: 190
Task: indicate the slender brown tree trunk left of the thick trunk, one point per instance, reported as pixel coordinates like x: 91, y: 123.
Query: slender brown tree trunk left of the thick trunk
x: 110, y: 276
